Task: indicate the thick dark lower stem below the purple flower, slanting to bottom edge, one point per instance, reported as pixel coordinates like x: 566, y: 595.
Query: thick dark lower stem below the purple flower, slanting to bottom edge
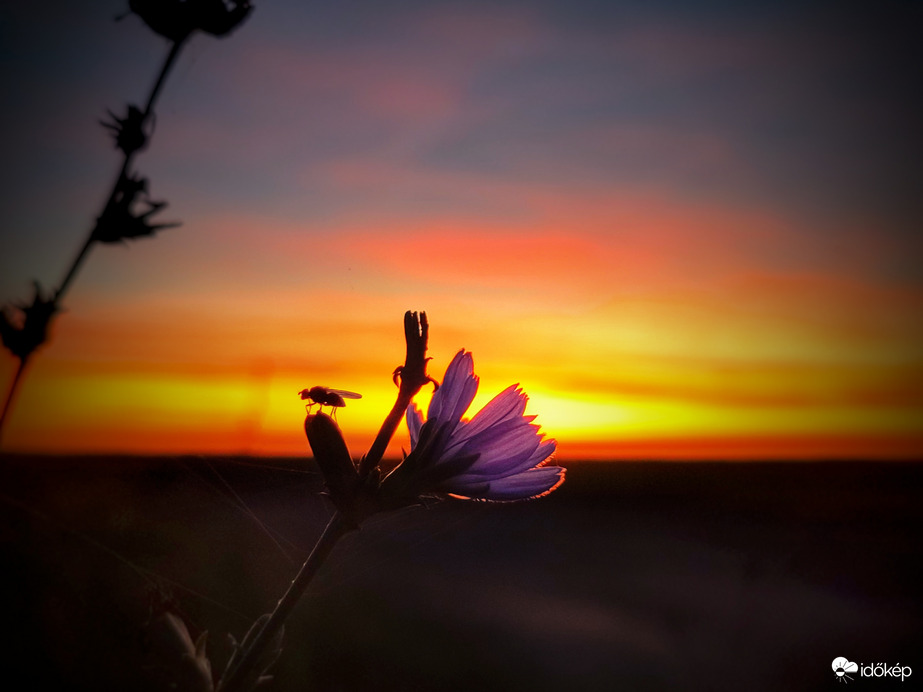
x: 243, y: 667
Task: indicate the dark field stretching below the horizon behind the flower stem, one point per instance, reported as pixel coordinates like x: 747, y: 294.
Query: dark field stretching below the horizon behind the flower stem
x: 633, y: 576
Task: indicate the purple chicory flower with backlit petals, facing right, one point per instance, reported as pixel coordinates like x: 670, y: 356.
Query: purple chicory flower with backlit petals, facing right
x: 499, y: 454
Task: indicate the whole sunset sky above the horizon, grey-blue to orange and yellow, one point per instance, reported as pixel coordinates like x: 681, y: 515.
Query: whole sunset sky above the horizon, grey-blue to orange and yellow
x: 689, y: 230
